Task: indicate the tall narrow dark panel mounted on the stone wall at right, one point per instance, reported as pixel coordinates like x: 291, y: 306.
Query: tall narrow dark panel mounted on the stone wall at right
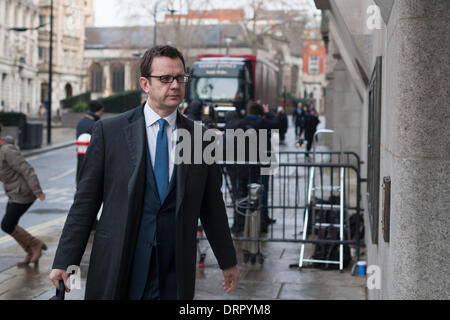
x: 373, y: 150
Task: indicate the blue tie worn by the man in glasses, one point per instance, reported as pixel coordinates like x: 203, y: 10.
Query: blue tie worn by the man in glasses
x: 161, y: 167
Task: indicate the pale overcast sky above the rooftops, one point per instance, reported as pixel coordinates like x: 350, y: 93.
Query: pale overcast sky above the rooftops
x: 108, y: 14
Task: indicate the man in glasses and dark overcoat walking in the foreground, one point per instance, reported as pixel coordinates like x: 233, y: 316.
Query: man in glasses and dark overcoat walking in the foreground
x: 145, y: 243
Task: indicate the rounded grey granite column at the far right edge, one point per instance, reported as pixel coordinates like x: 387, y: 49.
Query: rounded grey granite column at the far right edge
x: 415, y: 151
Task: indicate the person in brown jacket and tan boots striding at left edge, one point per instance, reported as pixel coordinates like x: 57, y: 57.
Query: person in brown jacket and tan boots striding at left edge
x: 22, y: 187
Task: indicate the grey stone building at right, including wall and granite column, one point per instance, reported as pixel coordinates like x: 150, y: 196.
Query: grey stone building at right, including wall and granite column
x: 388, y: 97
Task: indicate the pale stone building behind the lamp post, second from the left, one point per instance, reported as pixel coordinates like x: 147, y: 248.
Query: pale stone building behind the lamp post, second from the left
x: 70, y: 17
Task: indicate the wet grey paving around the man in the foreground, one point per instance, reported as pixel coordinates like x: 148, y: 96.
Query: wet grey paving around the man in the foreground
x: 273, y: 280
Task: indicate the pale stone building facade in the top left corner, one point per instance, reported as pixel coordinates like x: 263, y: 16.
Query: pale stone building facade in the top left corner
x: 18, y: 56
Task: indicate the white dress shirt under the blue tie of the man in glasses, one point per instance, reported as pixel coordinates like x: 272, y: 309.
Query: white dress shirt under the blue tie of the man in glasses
x: 152, y: 128
